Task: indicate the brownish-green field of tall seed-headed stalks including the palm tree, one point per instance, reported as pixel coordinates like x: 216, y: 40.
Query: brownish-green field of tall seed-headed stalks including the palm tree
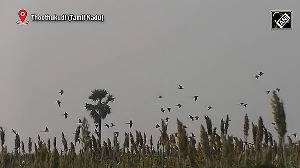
x: 175, y: 150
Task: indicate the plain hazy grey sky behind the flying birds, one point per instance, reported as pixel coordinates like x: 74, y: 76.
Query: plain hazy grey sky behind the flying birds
x: 142, y: 50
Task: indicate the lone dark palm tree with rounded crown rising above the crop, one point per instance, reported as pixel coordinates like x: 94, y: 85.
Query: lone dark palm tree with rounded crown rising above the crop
x: 101, y: 108
